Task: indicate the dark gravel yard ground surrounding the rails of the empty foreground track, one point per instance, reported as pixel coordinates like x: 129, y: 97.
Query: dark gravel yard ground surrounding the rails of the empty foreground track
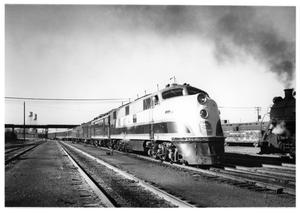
x: 46, y: 177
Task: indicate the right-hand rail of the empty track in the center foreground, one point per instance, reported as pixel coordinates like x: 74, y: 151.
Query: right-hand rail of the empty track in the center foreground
x: 166, y: 196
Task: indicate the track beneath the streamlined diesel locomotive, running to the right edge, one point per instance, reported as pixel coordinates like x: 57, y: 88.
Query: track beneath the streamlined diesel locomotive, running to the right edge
x: 280, y: 179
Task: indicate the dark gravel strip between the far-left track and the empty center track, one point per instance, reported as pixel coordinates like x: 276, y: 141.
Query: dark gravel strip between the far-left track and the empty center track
x: 45, y: 177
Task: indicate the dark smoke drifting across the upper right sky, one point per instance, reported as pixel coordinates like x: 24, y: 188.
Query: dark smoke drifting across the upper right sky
x: 265, y: 33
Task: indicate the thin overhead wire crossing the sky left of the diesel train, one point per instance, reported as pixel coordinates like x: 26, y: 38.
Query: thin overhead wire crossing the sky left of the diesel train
x: 65, y: 99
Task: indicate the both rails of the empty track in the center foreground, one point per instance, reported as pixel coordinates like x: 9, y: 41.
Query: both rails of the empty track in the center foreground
x: 141, y: 183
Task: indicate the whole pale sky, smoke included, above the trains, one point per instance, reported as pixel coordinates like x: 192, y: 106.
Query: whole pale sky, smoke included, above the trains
x: 242, y: 56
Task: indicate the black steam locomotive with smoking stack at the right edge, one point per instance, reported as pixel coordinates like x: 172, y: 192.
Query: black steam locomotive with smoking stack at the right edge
x: 280, y: 135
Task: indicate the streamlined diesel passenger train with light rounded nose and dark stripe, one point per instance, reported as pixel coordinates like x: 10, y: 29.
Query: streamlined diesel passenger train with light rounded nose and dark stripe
x: 179, y: 123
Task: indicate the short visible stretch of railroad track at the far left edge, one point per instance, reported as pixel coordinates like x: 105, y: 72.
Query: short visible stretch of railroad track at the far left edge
x: 15, y: 152
